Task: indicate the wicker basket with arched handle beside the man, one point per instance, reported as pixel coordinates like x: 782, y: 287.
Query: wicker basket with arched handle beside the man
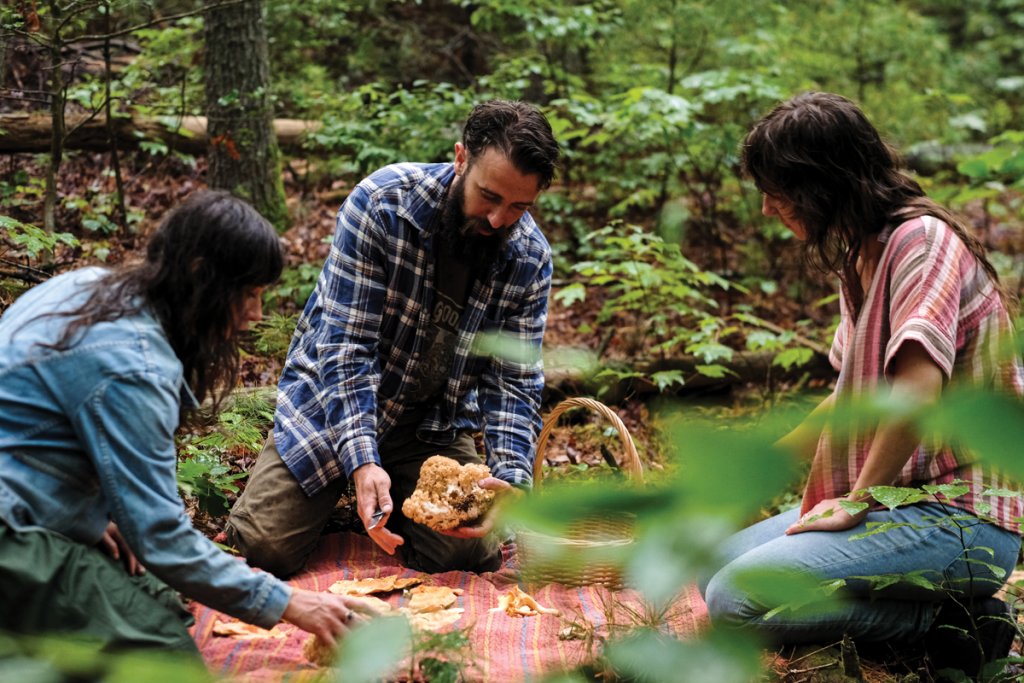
x: 576, y: 560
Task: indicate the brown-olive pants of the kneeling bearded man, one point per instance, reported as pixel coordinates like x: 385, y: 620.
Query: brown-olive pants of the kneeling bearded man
x: 277, y: 527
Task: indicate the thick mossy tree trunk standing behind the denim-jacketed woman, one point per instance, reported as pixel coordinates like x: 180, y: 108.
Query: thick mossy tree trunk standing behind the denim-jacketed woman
x: 243, y: 155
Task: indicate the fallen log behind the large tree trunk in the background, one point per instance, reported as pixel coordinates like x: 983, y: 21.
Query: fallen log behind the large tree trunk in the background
x: 24, y: 133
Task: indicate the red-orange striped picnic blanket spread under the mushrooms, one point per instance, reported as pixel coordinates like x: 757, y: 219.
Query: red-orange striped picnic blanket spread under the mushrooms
x: 505, y: 649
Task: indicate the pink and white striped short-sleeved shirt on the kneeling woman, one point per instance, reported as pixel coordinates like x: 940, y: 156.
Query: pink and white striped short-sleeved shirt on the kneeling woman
x: 930, y: 289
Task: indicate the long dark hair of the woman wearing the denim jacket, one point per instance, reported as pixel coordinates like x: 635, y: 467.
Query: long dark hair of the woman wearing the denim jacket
x: 199, y: 266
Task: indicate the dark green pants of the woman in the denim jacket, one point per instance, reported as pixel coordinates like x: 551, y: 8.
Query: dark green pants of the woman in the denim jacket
x: 53, y: 585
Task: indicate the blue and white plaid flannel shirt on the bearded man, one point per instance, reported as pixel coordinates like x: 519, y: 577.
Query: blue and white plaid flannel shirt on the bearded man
x: 359, y: 340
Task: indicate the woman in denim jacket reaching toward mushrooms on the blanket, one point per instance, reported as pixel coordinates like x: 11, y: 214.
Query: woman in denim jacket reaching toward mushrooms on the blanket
x: 98, y: 369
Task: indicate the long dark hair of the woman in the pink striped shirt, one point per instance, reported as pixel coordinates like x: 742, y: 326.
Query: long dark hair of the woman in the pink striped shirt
x: 821, y: 153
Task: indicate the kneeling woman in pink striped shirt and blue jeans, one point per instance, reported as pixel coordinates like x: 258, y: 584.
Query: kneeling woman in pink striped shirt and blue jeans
x: 922, y: 308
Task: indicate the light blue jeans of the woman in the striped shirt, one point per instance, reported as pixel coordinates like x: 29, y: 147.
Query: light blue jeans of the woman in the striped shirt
x: 901, y: 613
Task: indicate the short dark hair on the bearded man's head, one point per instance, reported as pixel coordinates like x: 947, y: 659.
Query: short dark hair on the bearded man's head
x: 520, y: 132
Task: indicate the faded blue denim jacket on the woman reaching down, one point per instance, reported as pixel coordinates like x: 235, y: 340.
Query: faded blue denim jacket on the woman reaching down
x: 88, y: 436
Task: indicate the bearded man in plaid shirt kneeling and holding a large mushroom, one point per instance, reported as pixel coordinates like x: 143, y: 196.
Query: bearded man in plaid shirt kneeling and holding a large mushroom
x: 386, y: 370
